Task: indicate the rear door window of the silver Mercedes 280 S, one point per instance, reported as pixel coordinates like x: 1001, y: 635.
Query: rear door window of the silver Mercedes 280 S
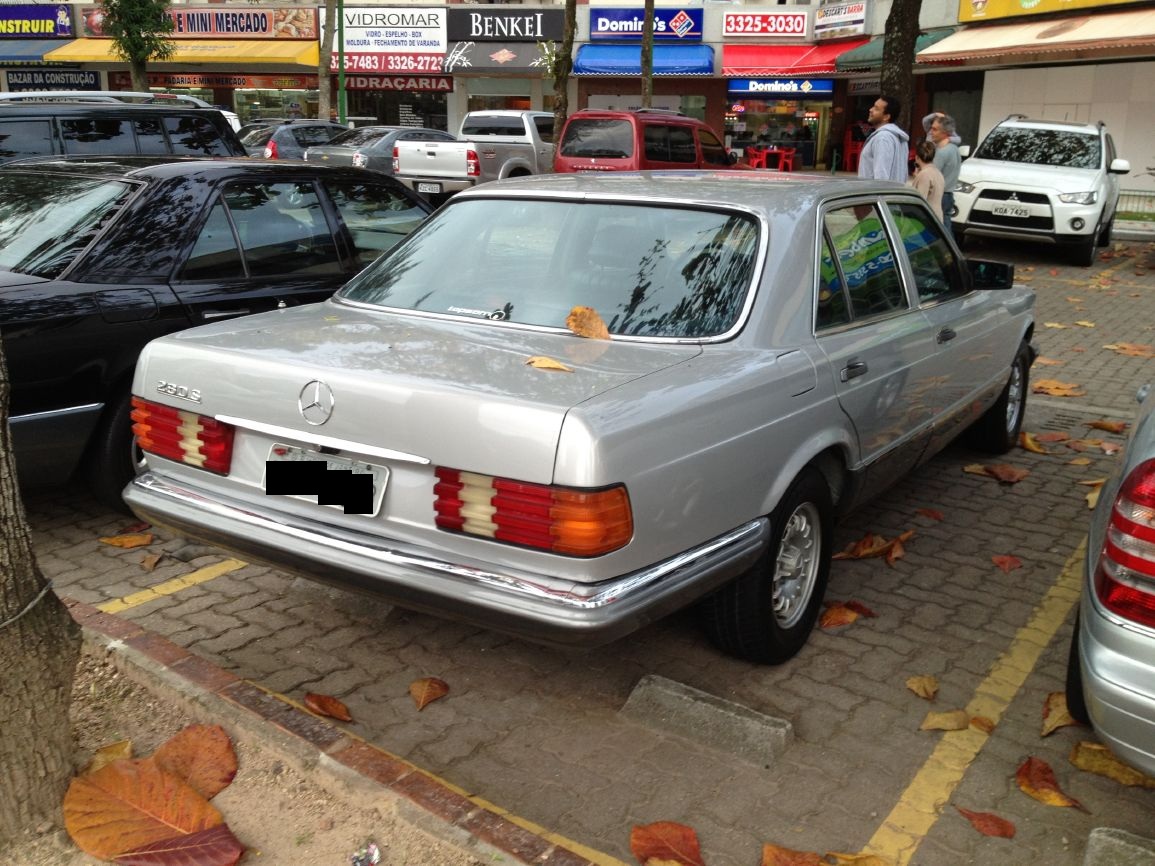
x: 867, y: 260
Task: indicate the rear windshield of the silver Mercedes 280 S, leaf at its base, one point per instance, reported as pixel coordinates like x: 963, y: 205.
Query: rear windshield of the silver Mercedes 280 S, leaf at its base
x: 650, y: 272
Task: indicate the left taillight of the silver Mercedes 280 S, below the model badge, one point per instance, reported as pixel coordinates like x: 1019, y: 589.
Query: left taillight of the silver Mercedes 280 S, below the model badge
x: 184, y: 437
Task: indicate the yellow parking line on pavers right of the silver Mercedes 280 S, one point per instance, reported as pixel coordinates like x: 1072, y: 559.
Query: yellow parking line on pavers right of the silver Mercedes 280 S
x: 927, y: 796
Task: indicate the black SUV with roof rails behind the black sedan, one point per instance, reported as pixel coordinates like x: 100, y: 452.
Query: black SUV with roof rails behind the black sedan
x: 86, y: 129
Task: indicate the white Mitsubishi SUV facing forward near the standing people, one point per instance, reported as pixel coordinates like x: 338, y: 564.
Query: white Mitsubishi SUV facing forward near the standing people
x: 1047, y: 181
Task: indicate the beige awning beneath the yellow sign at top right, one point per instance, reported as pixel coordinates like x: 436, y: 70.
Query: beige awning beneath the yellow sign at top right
x: 1084, y: 38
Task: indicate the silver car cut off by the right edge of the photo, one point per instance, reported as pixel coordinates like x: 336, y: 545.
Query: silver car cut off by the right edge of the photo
x: 1112, y: 668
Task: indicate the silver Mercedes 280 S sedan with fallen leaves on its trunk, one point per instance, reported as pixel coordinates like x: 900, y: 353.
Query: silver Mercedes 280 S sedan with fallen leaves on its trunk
x: 571, y: 405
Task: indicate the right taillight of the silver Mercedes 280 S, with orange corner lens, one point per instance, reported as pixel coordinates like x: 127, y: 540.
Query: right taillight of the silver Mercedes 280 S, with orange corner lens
x: 562, y: 520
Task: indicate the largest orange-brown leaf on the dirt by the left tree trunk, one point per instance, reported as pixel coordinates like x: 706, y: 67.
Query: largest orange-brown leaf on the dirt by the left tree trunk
x: 132, y: 804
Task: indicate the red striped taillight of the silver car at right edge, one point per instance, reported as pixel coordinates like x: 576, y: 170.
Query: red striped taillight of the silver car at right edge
x: 1126, y: 578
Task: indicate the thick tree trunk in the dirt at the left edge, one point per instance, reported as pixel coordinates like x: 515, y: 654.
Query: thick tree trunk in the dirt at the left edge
x: 39, y: 653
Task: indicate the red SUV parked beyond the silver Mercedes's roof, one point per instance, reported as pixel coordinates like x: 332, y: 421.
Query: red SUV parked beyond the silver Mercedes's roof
x: 594, y: 140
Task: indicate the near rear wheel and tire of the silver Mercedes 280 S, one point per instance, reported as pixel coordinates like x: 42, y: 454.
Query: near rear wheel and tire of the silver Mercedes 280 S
x: 766, y: 615
